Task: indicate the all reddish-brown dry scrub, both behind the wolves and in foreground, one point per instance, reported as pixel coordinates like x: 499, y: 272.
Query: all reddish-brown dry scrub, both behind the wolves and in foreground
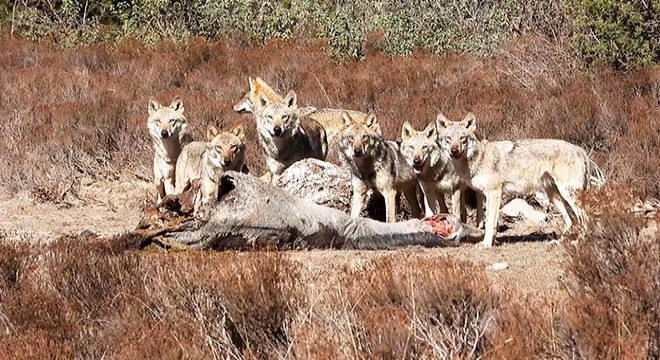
x: 73, y: 115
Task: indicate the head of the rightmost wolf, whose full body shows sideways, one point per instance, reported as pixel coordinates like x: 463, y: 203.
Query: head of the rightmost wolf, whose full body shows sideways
x: 457, y: 138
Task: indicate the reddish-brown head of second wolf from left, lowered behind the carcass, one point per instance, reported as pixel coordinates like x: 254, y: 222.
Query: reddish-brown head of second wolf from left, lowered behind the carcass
x: 225, y: 150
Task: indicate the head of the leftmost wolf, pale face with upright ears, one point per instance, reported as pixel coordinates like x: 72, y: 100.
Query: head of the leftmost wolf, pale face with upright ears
x: 166, y: 121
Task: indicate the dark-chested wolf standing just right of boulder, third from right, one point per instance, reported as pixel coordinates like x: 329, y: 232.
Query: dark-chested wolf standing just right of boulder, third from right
x: 375, y: 164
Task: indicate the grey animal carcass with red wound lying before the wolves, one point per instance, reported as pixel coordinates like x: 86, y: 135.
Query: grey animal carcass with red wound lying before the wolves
x: 251, y: 213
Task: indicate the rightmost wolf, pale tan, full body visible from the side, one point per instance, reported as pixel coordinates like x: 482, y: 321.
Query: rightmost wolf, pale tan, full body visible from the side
x: 521, y: 167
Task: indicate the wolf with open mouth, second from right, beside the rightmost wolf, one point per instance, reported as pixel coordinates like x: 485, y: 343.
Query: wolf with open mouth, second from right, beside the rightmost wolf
x: 434, y: 169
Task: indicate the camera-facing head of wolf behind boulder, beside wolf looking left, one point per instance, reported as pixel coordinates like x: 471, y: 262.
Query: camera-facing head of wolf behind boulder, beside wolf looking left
x: 279, y: 119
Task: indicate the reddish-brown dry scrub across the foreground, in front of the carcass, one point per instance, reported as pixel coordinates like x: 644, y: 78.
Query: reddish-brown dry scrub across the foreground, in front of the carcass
x: 78, y: 298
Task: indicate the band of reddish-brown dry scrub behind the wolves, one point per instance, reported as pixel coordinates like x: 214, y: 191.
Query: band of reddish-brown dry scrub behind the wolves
x: 72, y: 114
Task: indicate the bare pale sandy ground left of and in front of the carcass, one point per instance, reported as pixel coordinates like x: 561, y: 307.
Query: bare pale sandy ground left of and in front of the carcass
x: 110, y: 207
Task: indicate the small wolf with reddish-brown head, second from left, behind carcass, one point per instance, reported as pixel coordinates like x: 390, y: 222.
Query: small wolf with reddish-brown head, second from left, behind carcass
x: 223, y: 150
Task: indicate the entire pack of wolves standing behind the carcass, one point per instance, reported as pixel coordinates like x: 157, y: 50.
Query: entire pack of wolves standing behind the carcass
x: 445, y: 159
